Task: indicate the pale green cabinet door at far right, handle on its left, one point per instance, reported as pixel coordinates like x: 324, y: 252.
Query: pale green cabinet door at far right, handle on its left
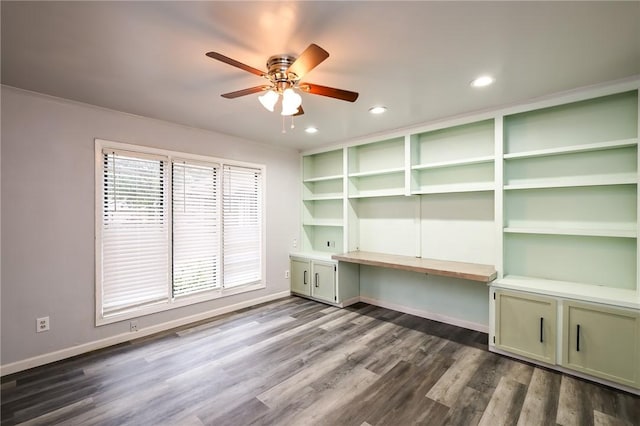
x: 602, y: 341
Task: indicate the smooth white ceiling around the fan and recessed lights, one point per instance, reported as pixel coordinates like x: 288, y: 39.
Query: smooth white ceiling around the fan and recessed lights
x: 417, y: 58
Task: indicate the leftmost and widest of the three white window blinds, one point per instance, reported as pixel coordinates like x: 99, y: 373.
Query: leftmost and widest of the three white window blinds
x: 135, y: 249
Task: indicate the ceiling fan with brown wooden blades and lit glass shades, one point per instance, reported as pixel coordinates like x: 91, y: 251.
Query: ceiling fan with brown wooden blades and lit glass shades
x: 284, y: 73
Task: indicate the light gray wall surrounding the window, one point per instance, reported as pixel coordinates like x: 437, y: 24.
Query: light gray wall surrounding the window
x: 48, y: 215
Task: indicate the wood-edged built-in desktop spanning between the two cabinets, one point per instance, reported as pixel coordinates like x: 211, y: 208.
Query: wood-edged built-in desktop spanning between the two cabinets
x: 467, y: 271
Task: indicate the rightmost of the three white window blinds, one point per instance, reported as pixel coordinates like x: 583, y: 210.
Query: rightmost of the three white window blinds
x: 242, y: 219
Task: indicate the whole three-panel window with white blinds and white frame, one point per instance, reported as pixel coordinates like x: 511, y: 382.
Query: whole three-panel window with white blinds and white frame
x: 173, y: 229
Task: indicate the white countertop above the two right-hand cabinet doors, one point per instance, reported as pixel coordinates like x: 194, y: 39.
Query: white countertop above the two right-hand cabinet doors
x: 584, y: 292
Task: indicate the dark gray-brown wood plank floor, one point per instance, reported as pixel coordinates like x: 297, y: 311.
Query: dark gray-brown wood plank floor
x: 298, y: 362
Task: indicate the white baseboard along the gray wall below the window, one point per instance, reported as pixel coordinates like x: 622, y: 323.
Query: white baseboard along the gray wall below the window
x: 61, y: 354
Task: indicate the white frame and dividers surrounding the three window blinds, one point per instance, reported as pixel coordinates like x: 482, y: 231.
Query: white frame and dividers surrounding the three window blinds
x: 171, y: 302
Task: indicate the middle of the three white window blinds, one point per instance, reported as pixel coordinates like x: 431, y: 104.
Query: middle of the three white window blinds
x: 196, y: 229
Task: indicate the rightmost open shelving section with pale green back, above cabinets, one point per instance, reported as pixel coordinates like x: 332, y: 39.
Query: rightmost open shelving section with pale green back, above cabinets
x: 571, y: 197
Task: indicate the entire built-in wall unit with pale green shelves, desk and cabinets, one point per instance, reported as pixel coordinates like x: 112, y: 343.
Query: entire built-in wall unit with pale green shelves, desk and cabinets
x: 541, y: 201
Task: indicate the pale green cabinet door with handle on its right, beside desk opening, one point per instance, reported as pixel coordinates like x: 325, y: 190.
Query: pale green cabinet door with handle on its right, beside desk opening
x: 526, y: 325
